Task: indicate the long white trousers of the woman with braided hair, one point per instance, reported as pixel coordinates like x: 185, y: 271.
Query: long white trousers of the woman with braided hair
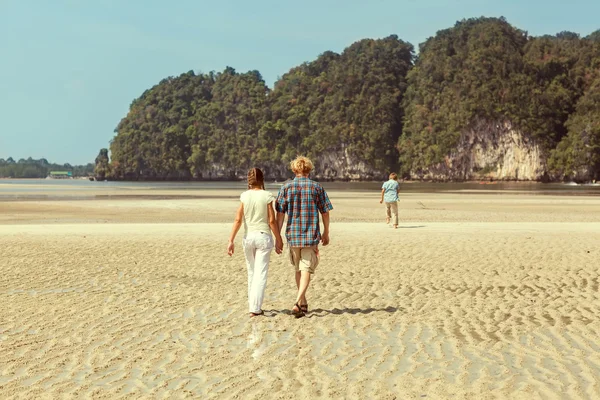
x: 257, y: 249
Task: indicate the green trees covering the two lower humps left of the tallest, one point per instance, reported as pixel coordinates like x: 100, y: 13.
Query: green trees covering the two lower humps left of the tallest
x: 200, y: 125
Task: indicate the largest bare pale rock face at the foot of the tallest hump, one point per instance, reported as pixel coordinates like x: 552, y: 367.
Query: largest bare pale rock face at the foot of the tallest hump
x: 490, y: 150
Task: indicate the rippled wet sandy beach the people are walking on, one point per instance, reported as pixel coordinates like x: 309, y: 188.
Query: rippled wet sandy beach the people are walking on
x: 476, y: 296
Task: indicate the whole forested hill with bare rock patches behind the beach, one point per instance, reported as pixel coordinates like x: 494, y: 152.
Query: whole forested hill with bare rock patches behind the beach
x: 482, y: 100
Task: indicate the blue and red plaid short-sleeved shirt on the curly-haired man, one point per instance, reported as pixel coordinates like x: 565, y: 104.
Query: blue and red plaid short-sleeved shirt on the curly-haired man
x: 302, y: 199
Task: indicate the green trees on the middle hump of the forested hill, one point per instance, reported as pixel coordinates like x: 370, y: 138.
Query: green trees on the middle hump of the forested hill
x: 349, y: 103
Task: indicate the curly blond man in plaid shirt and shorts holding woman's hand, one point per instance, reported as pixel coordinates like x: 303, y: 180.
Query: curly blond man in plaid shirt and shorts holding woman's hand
x: 302, y: 200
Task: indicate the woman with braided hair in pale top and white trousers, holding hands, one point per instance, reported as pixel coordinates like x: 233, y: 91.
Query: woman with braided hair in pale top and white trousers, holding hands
x: 257, y: 214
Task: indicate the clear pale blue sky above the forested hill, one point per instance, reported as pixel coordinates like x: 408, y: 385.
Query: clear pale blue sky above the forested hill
x: 70, y: 68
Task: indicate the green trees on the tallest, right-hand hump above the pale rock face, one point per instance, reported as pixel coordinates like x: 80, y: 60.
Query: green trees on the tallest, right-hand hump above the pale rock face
x: 486, y: 70
